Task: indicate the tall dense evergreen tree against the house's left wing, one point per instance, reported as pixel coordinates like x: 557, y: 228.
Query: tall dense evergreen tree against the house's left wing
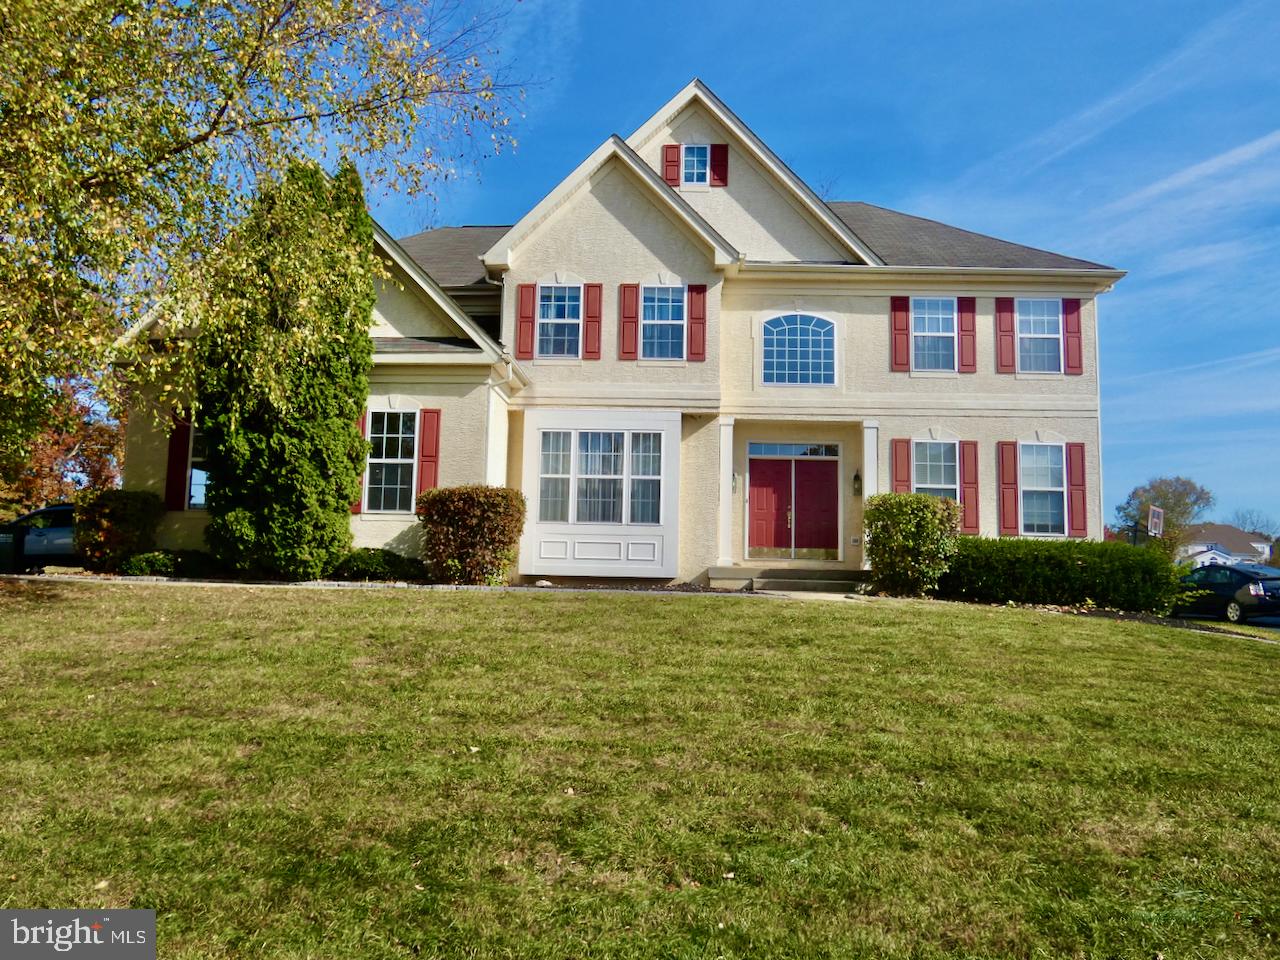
x: 286, y: 452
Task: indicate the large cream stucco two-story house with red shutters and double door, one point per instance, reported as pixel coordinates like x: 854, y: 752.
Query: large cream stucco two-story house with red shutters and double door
x: 687, y: 360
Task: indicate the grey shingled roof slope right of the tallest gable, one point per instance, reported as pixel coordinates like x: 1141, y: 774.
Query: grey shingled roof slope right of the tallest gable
x: 903, y: 240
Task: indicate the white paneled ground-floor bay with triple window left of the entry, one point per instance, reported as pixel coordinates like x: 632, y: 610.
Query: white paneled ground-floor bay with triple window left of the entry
x: 604, y: 491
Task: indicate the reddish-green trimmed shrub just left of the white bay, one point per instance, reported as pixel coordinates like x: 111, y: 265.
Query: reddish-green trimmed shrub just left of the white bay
x: 470, y: 534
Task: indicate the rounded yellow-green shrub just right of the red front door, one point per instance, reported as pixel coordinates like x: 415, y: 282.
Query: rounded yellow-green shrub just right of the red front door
x: 911, y: 537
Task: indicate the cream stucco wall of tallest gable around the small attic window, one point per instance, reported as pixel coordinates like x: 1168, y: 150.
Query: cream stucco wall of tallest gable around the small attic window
x: 755, y: 213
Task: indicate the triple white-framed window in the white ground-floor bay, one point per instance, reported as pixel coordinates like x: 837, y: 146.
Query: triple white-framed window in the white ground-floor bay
x: 601, y: 477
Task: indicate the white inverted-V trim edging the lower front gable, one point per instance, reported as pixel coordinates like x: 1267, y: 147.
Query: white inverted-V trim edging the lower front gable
x: 499, y: 255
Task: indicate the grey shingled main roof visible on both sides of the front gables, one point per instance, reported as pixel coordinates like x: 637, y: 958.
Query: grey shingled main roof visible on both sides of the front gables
x: 451, y: 255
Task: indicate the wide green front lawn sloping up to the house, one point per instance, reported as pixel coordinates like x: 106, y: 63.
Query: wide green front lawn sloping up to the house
x: 298, y: 774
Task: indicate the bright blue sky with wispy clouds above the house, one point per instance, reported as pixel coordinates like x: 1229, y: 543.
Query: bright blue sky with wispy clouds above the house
x: 1142, y: 135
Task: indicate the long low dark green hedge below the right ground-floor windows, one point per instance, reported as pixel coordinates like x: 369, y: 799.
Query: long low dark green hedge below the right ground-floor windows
x: 1067, y: 573
